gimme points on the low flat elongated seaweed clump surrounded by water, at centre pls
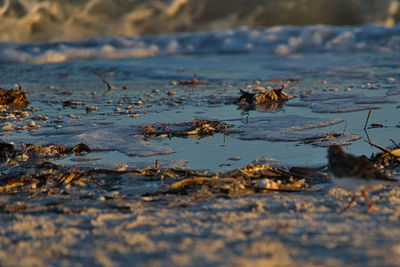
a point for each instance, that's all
(195, 128)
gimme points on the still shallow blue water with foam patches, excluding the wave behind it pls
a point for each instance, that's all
(70, 105)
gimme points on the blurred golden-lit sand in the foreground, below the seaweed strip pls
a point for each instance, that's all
(116, 227)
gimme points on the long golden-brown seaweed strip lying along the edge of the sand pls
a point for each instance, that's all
(49, 178)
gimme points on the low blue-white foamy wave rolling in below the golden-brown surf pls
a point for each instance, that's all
(279, 40)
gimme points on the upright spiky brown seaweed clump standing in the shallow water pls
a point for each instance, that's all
(272, 100)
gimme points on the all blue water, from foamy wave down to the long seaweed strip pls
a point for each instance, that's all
(336, 74)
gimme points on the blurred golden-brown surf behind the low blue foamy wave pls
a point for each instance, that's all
(56, 20)
